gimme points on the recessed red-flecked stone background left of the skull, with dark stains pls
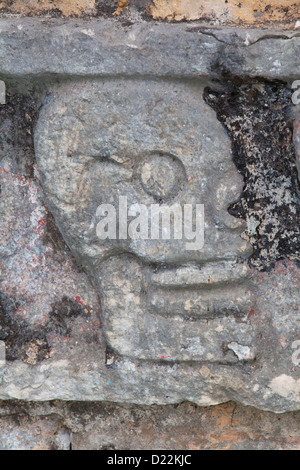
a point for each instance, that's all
(51, 291)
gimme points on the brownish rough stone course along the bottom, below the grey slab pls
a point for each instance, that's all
(107, 426)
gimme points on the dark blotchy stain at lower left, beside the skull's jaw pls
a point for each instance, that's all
(30, 344)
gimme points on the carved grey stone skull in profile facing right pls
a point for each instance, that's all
(108, 163)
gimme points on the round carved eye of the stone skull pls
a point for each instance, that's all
(162, 176)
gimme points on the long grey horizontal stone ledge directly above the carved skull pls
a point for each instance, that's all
(107, 48)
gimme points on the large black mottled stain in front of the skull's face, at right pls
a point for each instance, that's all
(256, 115)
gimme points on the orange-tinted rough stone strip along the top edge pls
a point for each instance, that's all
(215, 12)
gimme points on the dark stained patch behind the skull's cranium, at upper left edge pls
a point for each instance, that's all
(17, 121)
